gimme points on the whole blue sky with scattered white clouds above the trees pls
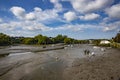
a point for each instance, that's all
(79, 19)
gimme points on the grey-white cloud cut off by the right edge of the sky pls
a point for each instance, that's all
(114, 11)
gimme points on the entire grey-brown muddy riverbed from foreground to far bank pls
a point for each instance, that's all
(63, 64)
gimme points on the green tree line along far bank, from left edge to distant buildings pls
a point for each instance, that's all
(39, 40)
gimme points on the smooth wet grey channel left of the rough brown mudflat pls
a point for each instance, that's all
(22, 64)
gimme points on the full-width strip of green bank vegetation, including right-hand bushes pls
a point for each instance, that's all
(44, 40)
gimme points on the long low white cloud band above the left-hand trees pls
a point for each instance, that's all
(24, 26)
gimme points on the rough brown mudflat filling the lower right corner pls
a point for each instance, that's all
(104, 67)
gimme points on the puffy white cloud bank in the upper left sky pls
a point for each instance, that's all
(38, 14)
